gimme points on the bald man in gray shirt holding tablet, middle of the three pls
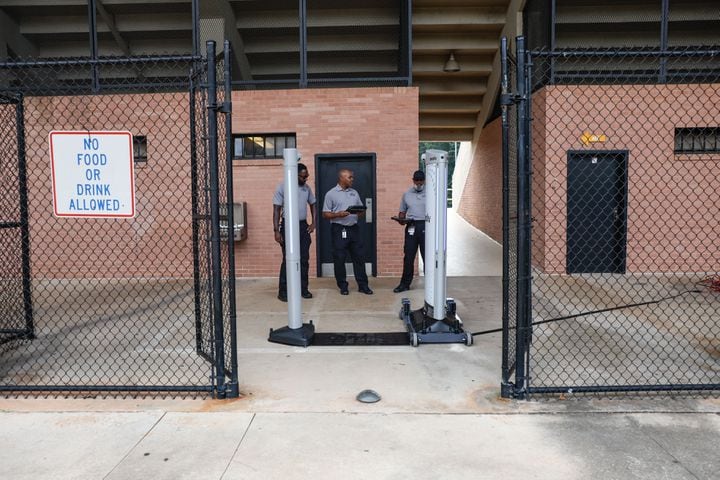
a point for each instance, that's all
(345, 233)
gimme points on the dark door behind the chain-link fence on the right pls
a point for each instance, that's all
(597, 212)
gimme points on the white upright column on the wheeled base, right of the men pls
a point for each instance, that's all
(436, 231)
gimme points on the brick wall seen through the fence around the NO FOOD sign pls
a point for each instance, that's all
(158, 241)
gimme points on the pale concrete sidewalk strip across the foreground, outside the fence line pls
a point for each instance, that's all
(153, 443)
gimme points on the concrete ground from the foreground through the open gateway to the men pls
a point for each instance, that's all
(440, 415)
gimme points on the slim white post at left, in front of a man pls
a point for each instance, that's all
(292, 237)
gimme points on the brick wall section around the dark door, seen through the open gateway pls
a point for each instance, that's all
(383, 121)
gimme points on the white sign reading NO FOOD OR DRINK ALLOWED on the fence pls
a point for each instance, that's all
(92, 174)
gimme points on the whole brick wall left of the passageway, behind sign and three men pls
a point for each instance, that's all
(158, 241)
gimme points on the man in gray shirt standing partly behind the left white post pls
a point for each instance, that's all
(305, 198)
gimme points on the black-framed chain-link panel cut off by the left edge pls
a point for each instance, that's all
(16, 319)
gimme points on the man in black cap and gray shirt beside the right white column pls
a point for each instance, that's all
(412, 215)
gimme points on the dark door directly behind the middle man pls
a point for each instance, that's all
(363, 167)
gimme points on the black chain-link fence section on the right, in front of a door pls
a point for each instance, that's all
(637, 310)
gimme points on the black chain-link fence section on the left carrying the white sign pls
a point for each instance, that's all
(141, 304)
